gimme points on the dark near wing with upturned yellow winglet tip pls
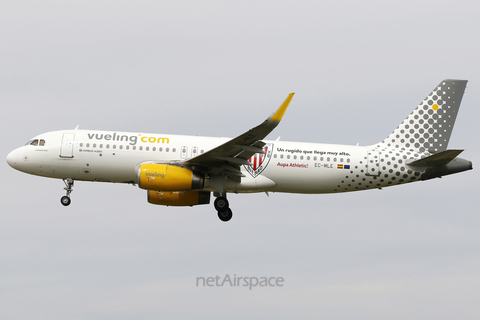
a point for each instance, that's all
(236, 152)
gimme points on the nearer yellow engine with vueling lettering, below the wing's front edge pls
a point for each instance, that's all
(161, 177)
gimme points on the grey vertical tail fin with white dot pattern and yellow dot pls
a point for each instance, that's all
(429, 126)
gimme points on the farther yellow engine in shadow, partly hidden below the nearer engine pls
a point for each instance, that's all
(178, 198)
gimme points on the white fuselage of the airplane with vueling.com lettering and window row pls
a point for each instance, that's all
(295, 167)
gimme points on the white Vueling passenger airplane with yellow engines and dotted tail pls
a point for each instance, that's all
(181, 170)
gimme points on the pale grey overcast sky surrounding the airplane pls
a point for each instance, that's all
(218, 68)
